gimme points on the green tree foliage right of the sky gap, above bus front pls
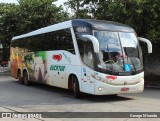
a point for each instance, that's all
(142, 15)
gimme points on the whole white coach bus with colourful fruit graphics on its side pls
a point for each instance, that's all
(91, 56)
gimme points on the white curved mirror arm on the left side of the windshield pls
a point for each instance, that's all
(94, 41)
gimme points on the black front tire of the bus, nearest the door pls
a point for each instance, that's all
(76, 91)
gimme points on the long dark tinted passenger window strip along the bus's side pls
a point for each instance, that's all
(57, 40)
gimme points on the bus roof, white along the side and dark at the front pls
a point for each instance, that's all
(94, 24)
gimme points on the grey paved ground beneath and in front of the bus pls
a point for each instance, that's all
(40, 98)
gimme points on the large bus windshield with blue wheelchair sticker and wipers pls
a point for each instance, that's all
(119, 52)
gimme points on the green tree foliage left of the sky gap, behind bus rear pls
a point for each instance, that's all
(27, 16)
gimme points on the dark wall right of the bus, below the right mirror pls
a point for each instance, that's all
(152, 66)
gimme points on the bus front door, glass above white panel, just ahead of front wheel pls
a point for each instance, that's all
(87, 57)
